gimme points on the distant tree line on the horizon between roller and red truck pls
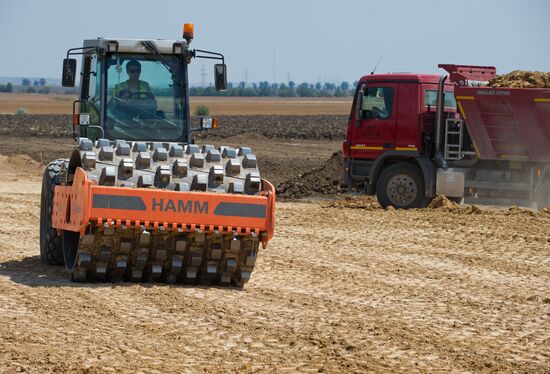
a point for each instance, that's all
(267, 89)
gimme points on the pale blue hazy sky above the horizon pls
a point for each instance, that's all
(327, 41)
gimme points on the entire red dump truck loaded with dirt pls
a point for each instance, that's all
(411, 137)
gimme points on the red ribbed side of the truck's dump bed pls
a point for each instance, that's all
(507, 123)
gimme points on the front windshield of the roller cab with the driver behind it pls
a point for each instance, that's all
(144, 98)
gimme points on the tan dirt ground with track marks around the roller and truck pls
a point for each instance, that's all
(344, 286)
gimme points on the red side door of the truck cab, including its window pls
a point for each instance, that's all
(375, 120)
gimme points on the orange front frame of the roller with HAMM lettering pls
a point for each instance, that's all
(85, 202)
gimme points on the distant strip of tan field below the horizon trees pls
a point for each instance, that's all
(62, 104)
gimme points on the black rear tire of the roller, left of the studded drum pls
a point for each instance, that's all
(51, 245)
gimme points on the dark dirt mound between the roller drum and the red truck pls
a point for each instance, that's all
(324, 180)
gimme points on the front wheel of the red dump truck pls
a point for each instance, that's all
(401, 185)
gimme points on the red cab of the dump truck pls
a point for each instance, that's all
(392, 121)
